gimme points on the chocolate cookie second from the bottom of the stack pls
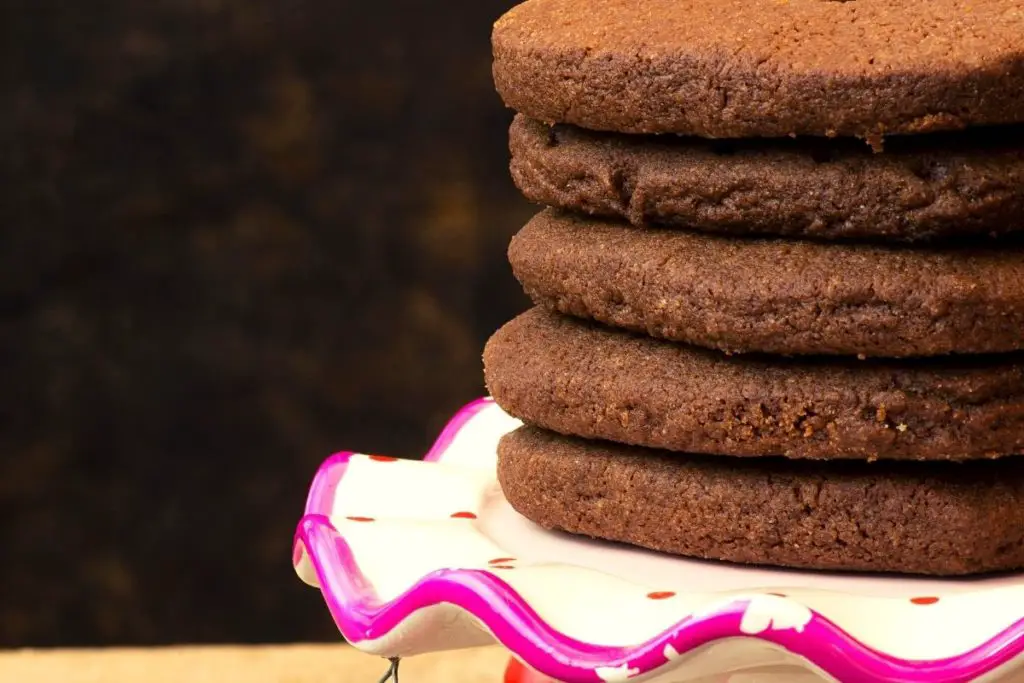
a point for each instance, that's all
(583, 379)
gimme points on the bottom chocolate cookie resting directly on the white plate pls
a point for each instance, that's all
(949, 519)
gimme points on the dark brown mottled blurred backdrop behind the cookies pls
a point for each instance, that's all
(237, 236)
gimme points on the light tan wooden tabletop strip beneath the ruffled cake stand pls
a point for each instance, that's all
(291, 664)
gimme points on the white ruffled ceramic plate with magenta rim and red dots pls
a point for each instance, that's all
(418, 557)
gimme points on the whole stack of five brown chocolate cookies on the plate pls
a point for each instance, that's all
(780, 279)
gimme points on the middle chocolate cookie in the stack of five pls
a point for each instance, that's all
(775, 295)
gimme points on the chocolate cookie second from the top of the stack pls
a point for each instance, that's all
(923, 188)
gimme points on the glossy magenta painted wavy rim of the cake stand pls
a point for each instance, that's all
(361, 616)
